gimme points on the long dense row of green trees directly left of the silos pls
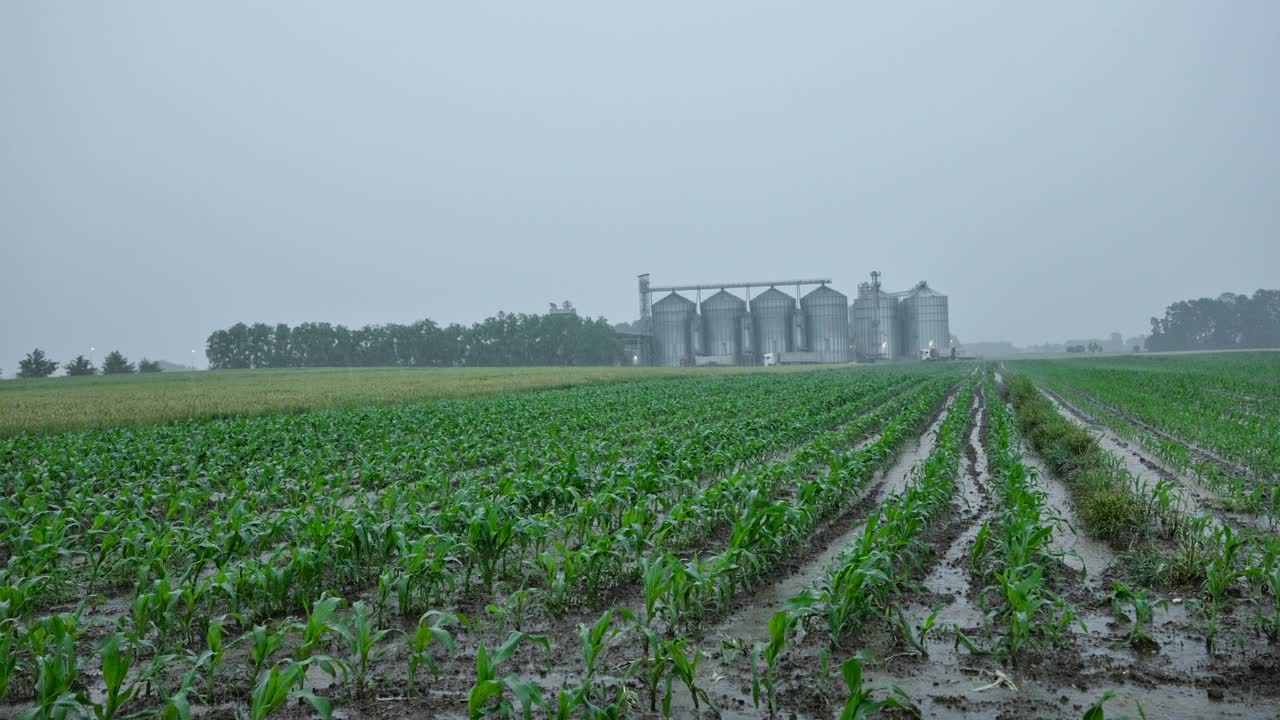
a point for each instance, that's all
(505, 340)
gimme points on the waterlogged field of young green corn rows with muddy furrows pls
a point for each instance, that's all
(940, 540)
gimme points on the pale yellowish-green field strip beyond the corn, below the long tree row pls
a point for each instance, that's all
(79, 404)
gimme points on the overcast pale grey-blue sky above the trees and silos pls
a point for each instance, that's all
(1059, 170)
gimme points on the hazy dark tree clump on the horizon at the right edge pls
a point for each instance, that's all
(1226, 323)
